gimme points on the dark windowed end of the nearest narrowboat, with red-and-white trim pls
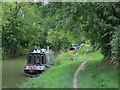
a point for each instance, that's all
(35, 64)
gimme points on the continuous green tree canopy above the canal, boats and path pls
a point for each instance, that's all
(59, 25)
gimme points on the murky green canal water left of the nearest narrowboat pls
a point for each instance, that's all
(13, 72)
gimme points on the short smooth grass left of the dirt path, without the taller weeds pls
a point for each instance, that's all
(56, 77)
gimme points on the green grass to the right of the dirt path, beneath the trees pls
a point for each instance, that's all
(92, 77)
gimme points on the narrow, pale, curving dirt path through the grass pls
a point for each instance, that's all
(81, 66)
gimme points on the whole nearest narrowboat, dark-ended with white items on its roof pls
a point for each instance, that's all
(37, 61)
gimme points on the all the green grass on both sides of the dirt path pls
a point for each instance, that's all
(61, 74)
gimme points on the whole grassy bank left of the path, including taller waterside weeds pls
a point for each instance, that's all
(60, 75)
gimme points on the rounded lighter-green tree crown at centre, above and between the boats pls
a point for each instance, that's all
(59, 38)
